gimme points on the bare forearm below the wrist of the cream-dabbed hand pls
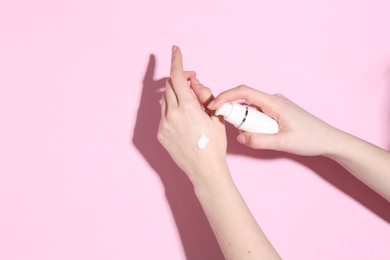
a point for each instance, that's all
(235, 228)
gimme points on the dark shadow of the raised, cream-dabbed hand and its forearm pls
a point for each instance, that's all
(197, 238)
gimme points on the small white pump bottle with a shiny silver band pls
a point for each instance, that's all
(248, 119)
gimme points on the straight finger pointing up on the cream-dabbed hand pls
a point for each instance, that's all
(178, 76)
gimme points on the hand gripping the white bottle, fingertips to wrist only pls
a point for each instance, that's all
(299, 131)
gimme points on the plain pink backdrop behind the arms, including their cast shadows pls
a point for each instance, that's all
(82, 175)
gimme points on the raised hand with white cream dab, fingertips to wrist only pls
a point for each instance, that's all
(184, 120)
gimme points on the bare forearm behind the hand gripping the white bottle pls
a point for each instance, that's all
(367, 162)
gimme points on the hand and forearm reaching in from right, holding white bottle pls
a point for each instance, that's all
(302, 133)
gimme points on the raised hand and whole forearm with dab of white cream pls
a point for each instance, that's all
(182, 121)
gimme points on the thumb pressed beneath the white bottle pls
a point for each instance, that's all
(259, 141)
